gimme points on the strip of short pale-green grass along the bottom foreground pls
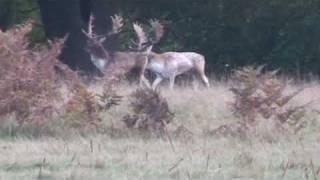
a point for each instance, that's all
(133, 158)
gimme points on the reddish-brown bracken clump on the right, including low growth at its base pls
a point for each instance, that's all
(262, 98)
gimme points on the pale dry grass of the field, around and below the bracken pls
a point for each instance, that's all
(191, 154)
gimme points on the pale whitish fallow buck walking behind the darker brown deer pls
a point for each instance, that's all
(170, 64)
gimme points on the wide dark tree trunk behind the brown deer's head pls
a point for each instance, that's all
(68, 17)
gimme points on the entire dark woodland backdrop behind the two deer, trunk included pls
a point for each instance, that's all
(230, 33)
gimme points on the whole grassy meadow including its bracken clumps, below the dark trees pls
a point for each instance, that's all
(55, 125)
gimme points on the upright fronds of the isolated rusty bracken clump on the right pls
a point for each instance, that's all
(261, 95)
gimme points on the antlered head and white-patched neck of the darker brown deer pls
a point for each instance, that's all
(99, 55)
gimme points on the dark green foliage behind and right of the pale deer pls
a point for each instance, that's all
(282, 34)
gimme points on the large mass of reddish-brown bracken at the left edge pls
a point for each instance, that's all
(30, 85)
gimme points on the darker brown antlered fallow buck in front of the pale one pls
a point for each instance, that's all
(116, 64)
